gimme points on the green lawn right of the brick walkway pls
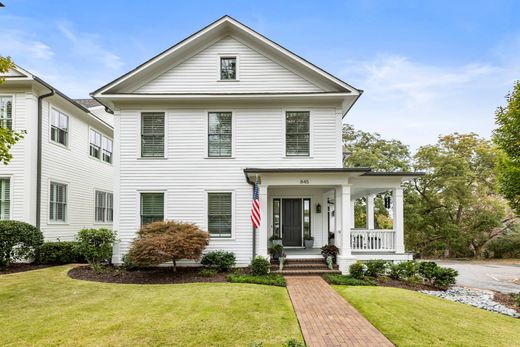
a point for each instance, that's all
(410, 318)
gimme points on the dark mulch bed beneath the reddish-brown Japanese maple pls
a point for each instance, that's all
(156, 275)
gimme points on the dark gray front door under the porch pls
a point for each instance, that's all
(292, 222)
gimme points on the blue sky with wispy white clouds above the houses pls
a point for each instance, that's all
(427, 68)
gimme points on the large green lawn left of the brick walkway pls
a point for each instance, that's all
(47, 308)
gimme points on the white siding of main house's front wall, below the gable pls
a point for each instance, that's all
(186, 174)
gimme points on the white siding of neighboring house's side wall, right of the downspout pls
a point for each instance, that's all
(74, 167)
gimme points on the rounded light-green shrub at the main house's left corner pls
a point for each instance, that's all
(96, 245)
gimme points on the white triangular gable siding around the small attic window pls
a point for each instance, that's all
(201, 73)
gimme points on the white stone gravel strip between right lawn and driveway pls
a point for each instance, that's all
(474, 297)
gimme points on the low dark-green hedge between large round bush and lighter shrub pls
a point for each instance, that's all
(62, 252)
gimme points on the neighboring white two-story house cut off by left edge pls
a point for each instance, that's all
(60, 177)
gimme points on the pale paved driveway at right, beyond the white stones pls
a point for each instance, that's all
(486, 275)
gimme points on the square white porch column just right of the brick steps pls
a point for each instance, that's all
(345, 258)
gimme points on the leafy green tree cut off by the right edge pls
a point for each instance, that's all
(507, 137)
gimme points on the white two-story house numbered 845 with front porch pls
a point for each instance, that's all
(198, 124)
